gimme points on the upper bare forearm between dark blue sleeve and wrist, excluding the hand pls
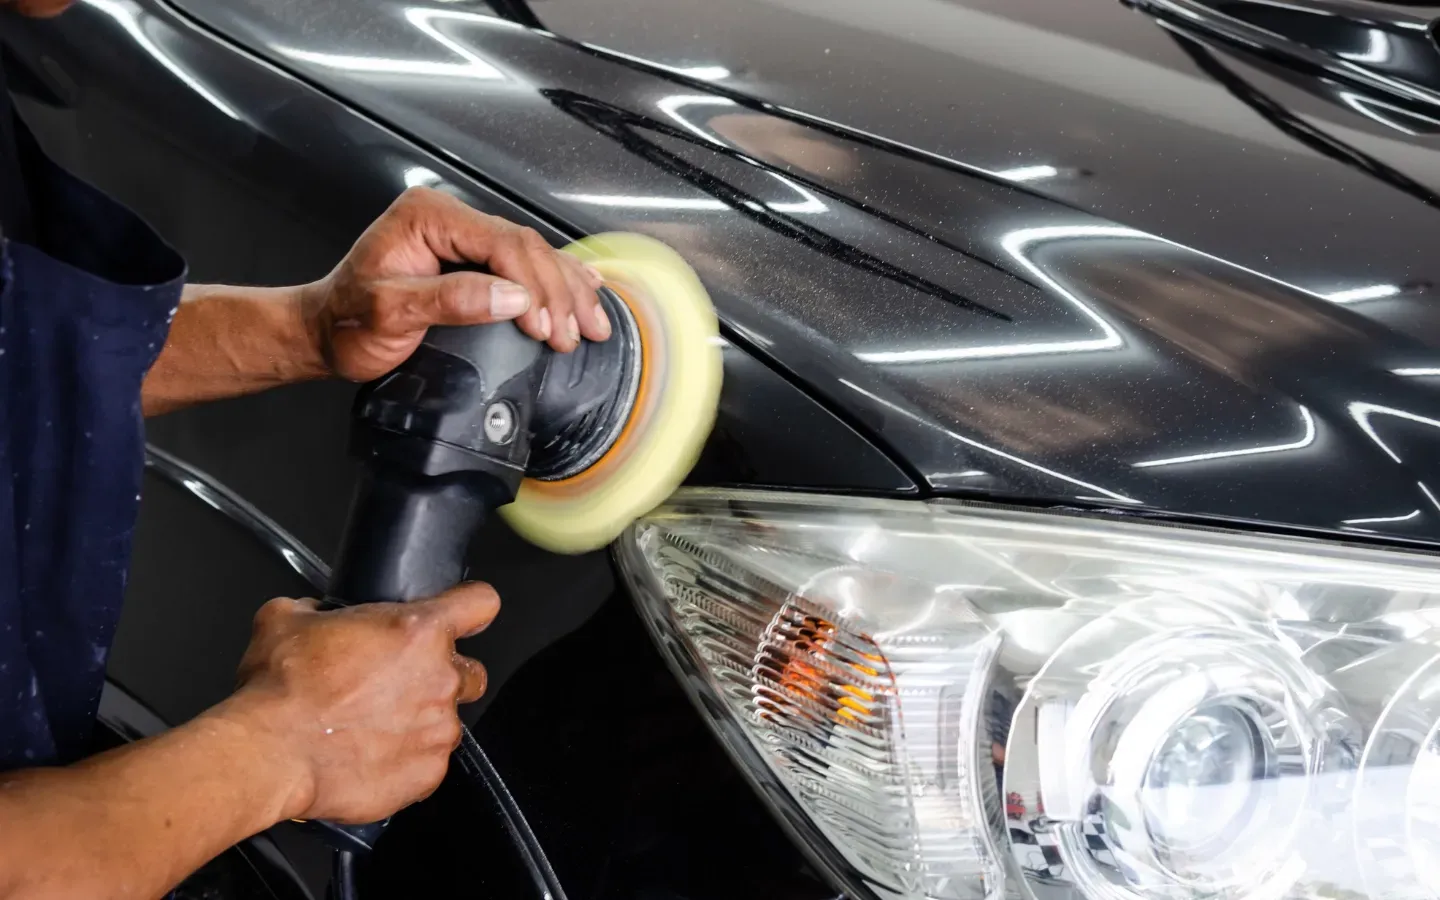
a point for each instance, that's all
(228, 342)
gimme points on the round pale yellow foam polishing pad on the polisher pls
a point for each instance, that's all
(673, 414)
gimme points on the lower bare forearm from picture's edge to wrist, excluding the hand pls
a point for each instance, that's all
(136, 822)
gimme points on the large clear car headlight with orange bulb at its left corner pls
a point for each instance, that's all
(966, 702)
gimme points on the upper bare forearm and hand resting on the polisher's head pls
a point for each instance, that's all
(372, 310)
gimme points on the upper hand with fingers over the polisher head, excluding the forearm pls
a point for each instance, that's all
(371, 313)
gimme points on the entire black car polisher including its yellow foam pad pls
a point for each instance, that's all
(568, 447)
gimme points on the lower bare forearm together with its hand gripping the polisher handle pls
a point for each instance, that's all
(345, 715)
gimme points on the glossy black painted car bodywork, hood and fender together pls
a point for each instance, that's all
(1055, 253)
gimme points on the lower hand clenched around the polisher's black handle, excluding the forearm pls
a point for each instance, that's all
(364, 701)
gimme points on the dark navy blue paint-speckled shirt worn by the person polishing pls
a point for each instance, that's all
(86, 305)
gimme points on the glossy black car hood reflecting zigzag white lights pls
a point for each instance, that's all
(1038, 250)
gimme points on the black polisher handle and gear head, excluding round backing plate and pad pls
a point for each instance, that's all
(446, 440)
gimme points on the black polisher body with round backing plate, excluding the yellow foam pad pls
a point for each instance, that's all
(447, 440)
